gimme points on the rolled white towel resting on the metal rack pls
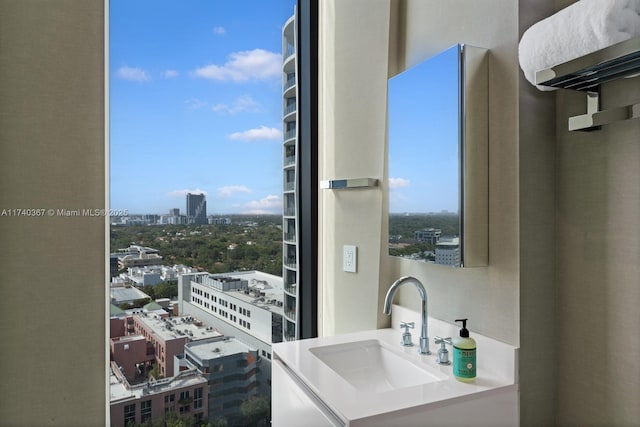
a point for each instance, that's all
(579, 29)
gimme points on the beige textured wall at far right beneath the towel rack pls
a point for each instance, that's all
(598, 267)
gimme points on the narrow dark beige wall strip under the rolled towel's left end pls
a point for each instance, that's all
(537, 196)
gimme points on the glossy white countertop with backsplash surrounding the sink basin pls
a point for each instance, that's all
(352, 404)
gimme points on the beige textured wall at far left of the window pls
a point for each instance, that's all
(52, 311)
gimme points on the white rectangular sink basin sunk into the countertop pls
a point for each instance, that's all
(372, 367)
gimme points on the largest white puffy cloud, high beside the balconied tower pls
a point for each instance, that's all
(257, 64)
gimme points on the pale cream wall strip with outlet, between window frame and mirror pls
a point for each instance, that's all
(353, 75)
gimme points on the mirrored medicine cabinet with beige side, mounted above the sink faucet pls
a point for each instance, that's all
(438, 159)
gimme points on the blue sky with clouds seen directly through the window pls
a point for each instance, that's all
(196, 104)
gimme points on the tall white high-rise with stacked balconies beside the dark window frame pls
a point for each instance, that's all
(290, 274)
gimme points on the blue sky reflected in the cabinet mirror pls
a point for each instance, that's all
(423, 136)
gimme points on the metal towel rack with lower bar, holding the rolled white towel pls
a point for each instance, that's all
(588, 72)
